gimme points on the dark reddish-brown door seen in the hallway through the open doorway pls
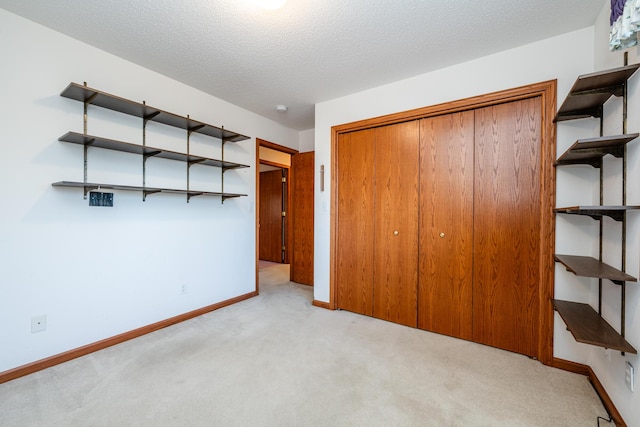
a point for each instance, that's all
(271, 201)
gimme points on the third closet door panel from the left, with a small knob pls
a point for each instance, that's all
(446, 224)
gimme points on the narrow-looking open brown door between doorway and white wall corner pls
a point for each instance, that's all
(302, 168)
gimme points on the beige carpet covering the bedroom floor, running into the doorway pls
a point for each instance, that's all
(275, 360)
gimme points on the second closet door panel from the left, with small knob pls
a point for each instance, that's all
(396, 223)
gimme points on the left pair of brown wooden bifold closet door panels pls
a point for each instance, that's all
(378, 207)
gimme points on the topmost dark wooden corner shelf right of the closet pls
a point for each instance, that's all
(590, 91)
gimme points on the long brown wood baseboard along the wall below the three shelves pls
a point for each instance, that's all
(39, 365)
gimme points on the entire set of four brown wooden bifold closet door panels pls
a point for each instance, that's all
(439, 224)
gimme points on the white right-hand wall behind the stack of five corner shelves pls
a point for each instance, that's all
(611, 371)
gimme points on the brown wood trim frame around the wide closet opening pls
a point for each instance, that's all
(547, 91)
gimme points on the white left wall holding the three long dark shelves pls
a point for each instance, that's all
(98, 272)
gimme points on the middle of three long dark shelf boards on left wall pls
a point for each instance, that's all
(111, 144)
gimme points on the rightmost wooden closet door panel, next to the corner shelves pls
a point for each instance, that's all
(507, 226)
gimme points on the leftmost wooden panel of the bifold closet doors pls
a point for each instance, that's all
(354, 252)
